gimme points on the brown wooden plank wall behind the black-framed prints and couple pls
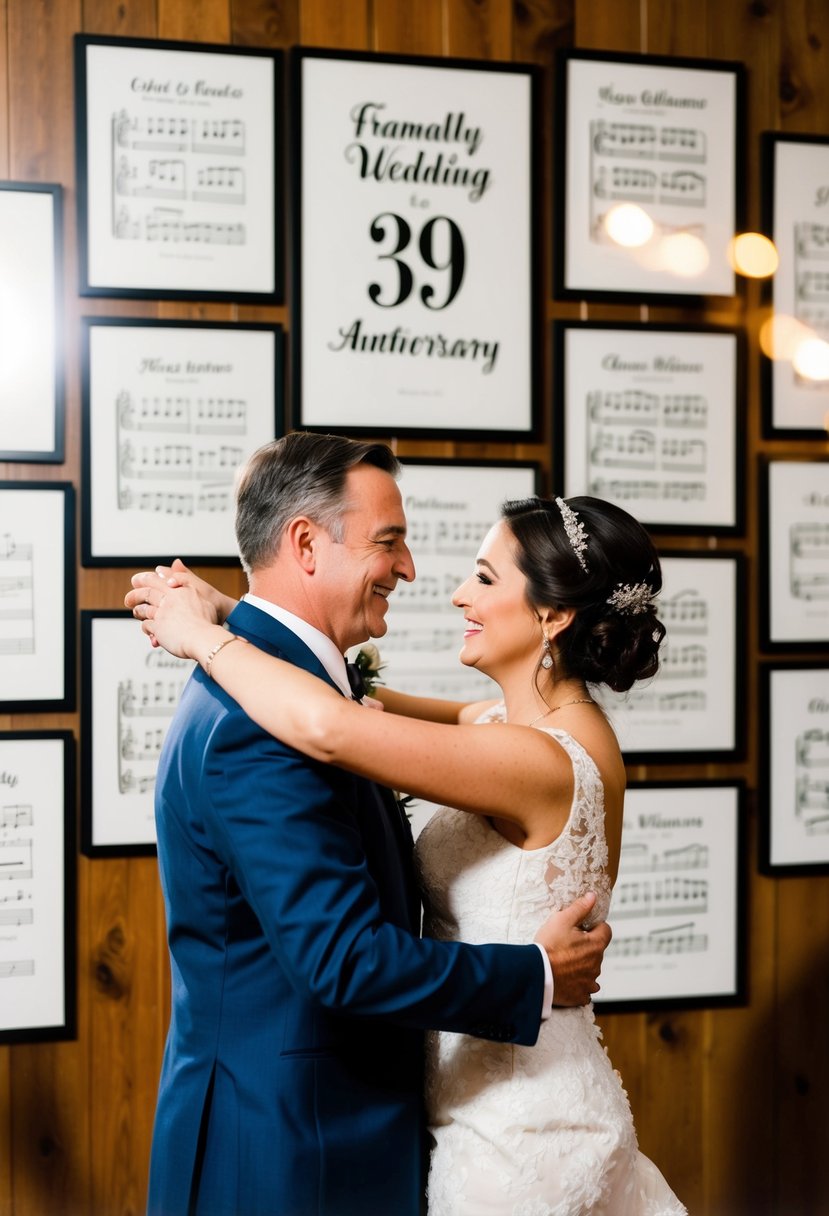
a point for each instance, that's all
(734, 1105)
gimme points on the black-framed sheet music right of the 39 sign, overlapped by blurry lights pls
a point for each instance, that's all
(650, 195)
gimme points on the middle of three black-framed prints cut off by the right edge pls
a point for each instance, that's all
(794, 511)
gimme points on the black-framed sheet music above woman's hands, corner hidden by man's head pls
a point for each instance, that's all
(171, 410)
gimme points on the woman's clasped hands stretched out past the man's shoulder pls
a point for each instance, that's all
(174, 617)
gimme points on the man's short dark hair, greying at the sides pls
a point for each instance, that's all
(301, 475)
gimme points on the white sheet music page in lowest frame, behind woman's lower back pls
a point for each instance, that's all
(669, 899)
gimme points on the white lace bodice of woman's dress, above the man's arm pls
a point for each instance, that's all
(459, 898)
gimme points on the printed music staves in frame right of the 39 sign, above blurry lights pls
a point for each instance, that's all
(658, 166)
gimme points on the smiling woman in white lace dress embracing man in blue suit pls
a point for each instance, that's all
(562, 598)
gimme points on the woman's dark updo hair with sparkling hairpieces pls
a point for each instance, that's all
(602, 645)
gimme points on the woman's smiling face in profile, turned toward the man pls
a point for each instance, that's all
(501, 628)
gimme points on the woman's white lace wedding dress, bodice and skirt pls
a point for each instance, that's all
(528, 1131)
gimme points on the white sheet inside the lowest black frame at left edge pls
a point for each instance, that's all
(31, 883)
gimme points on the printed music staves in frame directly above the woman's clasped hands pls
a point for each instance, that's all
(178, 453)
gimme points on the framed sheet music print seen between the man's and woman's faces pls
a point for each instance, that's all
(450, 508)
